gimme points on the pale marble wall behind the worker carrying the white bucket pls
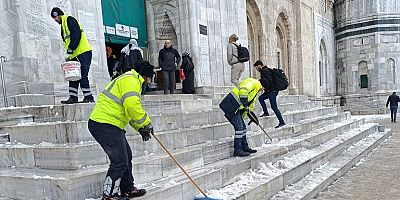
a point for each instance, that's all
(31, 40)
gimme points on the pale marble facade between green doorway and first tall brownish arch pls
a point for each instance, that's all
(181, 21)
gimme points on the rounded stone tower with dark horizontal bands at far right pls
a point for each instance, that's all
(367, 40)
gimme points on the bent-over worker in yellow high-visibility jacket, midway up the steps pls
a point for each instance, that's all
(236, 105)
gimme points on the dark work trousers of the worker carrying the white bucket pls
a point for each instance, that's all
(85, 59)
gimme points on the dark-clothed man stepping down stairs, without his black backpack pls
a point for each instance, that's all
(267, 81)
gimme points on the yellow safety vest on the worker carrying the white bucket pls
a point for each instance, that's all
(83, 45)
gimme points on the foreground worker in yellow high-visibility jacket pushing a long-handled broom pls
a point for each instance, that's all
(119, 105)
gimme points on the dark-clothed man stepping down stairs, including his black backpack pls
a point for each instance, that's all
(272, 82)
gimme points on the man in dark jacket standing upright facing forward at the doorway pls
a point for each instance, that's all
(168, 59)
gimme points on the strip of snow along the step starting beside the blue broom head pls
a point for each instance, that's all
(272, 175)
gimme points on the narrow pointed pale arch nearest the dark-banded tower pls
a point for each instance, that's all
(323, 68)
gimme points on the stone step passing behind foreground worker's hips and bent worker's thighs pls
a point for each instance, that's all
(75, 132)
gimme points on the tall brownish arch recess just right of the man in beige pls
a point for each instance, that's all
(255, 33)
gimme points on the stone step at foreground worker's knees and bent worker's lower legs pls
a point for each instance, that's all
(76, 156)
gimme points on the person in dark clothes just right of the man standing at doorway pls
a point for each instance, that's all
(188, 69)
